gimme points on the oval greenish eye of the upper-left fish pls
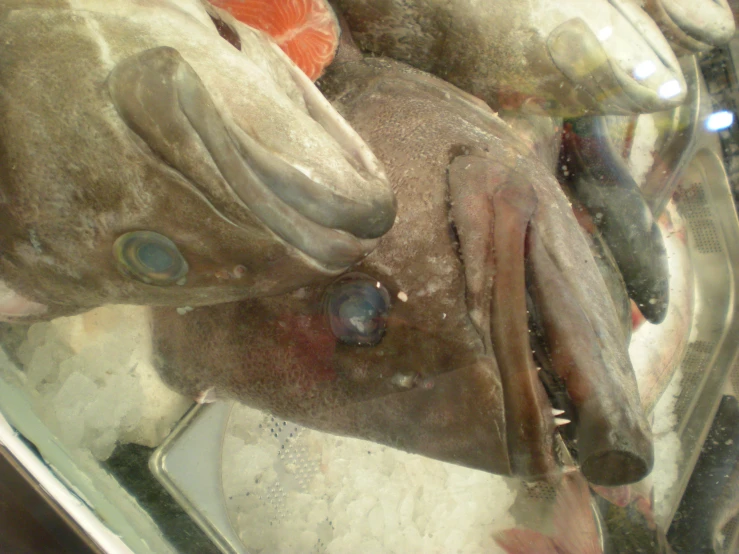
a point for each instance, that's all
(150, 257)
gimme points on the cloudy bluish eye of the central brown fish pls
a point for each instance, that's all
(357, 308)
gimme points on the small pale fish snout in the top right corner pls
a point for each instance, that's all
(693, 26)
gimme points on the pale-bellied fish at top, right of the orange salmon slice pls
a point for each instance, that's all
(568, 58)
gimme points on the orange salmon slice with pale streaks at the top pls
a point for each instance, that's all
(306, 30)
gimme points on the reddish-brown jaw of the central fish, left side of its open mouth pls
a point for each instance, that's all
(491, 208)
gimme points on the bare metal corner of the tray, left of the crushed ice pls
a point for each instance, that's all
(176, 461)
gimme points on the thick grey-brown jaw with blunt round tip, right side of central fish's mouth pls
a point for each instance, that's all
(586, 346)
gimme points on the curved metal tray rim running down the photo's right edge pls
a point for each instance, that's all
(694, 428)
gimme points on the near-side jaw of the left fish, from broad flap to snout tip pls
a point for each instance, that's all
(294, 207)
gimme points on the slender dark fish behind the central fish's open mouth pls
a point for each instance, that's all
(600, 179)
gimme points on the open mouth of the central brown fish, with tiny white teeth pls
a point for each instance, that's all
(514, 251)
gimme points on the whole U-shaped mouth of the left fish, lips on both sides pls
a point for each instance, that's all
(161, 97)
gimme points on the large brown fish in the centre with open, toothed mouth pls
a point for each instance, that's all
(424, 345)
